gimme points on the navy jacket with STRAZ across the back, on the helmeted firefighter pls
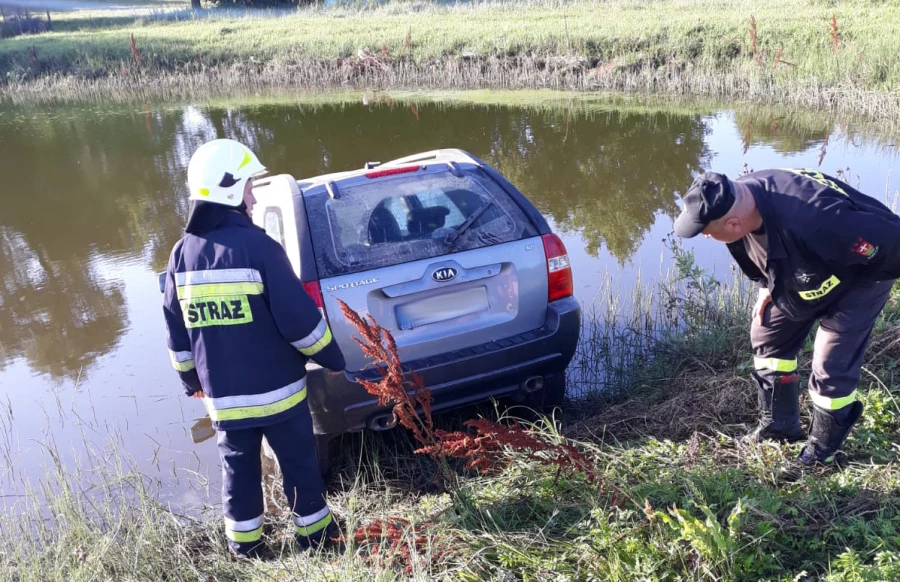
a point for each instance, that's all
(240, 326)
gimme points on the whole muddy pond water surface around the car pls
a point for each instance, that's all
(94, 198)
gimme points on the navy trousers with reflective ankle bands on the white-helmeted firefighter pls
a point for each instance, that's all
(242, 496)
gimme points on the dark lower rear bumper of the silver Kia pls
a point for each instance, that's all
(339, 404)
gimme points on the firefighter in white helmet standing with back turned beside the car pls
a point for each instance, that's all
(240, 328)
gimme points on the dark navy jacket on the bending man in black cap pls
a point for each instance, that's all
(823, 237)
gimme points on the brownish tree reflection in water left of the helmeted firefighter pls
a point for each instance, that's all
(82, 190)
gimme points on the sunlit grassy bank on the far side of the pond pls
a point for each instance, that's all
(759, 49)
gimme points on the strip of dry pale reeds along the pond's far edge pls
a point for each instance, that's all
(473, 74)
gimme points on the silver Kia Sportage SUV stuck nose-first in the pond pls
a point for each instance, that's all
(446, 254)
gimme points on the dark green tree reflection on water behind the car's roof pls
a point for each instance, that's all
(604, 176)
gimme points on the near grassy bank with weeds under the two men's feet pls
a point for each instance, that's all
(677, 498)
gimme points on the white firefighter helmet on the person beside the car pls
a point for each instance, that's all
(218, 170)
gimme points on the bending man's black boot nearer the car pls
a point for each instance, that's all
(779, 411)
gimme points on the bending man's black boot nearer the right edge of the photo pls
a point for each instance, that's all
(826, 439)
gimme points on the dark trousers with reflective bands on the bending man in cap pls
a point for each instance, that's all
(840, 344)
